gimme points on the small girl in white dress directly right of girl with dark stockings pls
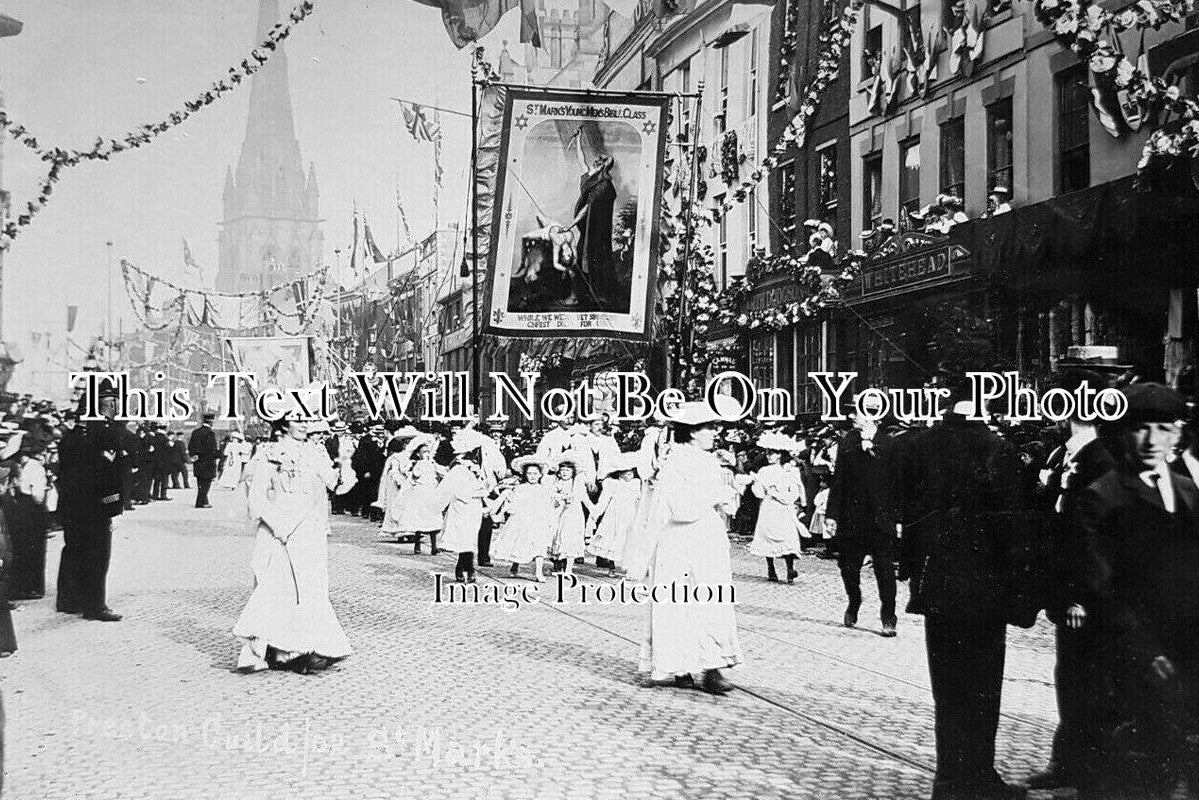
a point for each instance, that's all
(533, 518)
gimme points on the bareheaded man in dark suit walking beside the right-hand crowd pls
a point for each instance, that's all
(863, 514)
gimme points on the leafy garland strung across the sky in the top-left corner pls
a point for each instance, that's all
(106, 148)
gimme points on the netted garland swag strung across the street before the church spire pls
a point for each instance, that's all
(161, 304)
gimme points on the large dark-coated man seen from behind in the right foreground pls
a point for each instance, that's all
(963, 512)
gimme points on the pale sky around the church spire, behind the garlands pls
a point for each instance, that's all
(83, 69)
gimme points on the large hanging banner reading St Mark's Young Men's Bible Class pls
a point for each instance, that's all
(576, 227)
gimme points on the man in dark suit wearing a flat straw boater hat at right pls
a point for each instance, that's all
(1081, 461)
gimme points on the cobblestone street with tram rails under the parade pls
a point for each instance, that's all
(467, 701)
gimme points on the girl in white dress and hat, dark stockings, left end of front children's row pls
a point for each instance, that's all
(462, 496)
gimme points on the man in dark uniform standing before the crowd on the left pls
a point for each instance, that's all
(89, 497)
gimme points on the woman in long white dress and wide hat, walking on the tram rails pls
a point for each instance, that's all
(691, 551)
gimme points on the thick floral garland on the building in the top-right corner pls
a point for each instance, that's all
(1093, 34)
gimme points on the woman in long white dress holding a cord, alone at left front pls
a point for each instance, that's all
(288, 622)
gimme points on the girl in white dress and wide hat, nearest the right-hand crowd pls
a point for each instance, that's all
(779, 530)
